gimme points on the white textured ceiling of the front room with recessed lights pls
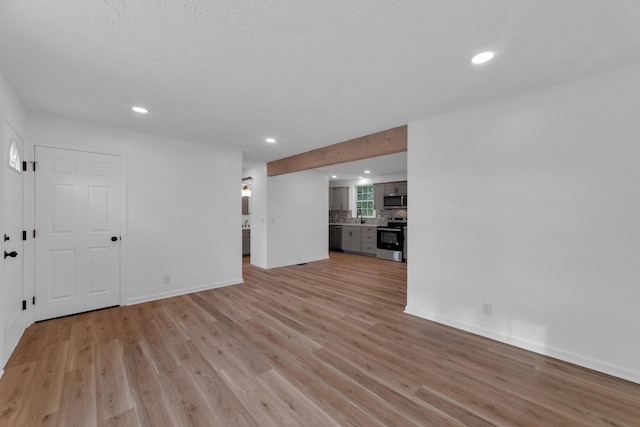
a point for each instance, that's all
(309, 73)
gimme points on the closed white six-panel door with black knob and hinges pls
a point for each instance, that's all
(77, 219)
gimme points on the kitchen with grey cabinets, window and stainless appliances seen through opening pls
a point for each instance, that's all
(369, 218)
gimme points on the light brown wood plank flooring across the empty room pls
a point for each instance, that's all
(321, 344)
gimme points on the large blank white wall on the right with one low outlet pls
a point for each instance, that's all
(532, 204)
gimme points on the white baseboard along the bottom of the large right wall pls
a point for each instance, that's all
(536, 347)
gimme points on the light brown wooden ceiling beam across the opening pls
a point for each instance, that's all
(390, 141)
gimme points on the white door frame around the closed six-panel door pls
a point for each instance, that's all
(30, 215)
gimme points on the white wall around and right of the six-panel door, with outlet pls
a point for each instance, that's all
(183, 200)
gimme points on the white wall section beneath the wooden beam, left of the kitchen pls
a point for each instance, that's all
(297, 218)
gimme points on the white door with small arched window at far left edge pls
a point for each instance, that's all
(13, 283)
